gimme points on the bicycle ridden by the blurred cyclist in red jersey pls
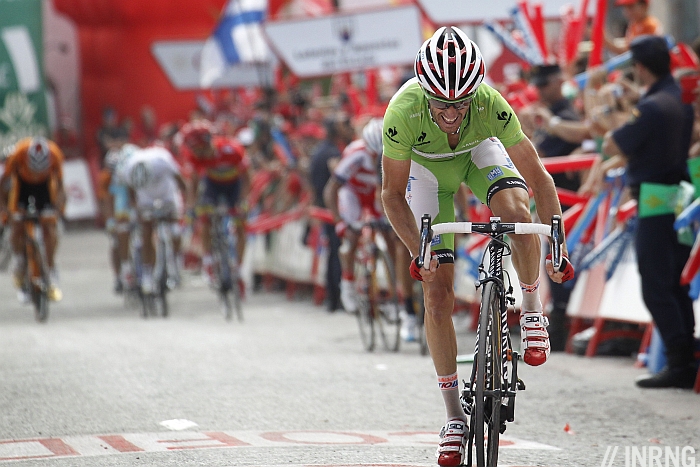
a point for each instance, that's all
(226, 263)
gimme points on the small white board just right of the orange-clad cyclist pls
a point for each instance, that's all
(80, 196)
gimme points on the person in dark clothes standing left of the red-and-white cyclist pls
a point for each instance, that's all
(323, 158)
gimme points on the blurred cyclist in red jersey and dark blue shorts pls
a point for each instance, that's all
(220, 174)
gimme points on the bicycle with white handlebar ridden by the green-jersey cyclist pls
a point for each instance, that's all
(488, 398)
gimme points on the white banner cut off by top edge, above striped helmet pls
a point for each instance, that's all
(448, 12)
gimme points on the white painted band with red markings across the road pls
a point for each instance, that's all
(13, 450)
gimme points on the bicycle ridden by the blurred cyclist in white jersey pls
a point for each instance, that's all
(165, 271)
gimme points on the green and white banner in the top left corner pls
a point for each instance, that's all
(23, 107)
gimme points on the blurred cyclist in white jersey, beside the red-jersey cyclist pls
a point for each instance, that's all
(156, 186)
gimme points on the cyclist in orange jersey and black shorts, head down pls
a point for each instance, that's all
(34, 169)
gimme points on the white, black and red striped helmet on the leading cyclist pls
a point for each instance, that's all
(449, 65)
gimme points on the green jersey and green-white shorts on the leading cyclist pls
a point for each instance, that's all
(480, 159)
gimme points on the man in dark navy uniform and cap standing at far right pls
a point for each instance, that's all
(653, 145)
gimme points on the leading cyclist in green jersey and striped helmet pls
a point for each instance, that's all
(442, 128)
